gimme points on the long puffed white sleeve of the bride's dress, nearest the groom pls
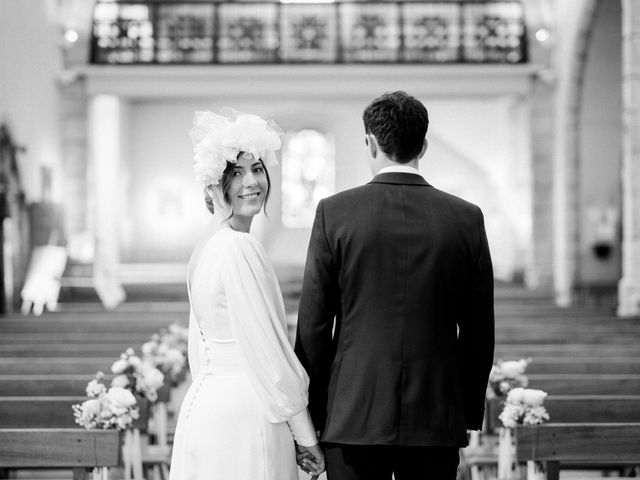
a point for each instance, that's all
(257, 317)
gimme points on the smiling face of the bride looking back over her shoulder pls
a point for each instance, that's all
(249, 186)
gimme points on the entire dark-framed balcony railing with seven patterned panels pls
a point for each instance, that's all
(155, 32)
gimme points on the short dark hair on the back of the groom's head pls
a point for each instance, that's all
(399, 122)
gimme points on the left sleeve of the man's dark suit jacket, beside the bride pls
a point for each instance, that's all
(318, 307)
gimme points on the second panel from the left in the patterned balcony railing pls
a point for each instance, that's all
(185, 33)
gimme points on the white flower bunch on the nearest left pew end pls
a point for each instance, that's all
(113, 408)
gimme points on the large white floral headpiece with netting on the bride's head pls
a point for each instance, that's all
(219, 138)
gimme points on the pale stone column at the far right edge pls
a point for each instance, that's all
(629, 287)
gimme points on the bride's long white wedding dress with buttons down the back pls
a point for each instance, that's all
(249, 393)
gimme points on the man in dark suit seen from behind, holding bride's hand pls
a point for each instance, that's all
(396, 323)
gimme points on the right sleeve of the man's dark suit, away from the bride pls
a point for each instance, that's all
(477, 332)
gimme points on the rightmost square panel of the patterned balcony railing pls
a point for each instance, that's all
(494, 32)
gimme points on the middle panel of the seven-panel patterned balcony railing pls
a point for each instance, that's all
(309, 33)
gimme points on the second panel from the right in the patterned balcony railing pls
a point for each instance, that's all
(431, 32)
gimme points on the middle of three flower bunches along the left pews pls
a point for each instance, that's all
(141, 378)
